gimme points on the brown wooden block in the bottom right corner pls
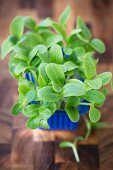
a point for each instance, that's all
(105, 138)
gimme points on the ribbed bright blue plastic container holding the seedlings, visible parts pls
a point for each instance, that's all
(60, 120)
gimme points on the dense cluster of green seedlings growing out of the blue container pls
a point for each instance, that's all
(62, 65)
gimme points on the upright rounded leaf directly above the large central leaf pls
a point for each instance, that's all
(55, 54)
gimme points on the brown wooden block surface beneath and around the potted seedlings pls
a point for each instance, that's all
(24, 149)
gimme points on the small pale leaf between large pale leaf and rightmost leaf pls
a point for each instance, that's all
(93, 84)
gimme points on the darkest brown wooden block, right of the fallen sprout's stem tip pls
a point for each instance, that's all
(89, 157)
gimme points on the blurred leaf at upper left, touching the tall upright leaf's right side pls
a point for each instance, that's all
(29, 22)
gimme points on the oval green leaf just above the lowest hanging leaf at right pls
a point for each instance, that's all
(95, 97)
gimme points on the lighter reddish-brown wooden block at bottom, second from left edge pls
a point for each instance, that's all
(22, 149)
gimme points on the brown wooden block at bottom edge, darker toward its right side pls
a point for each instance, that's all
(43, 156)
